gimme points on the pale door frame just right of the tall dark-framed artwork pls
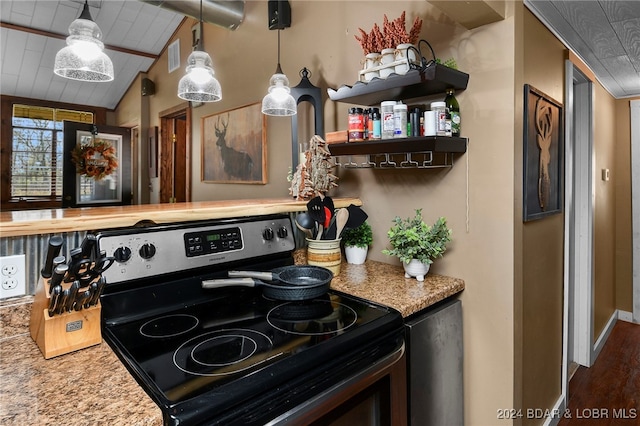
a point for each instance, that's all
(578, 314)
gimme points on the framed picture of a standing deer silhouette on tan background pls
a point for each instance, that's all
(234, 146)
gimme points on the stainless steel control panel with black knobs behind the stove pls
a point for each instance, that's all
(161, 249)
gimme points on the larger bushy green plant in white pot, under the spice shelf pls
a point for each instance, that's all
(417, 244)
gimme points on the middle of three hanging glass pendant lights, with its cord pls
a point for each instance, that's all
(199, 84)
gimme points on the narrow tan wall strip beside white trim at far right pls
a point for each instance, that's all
(623, 234)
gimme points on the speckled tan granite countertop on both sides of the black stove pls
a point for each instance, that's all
(92, 386)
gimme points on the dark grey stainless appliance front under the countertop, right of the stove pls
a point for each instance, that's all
(434, 366)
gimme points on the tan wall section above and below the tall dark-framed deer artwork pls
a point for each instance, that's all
(541, 274)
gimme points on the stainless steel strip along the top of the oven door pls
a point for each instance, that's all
(315, 403)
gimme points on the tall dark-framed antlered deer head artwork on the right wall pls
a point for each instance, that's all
(542, 154)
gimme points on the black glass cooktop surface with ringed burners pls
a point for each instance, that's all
(225, 350)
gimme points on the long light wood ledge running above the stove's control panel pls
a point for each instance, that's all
(49, 221)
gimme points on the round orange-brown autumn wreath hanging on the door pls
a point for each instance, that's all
(97, 159)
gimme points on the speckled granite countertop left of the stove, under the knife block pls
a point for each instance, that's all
(86, 387)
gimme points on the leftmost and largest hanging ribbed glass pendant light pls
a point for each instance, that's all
(83, 57)
